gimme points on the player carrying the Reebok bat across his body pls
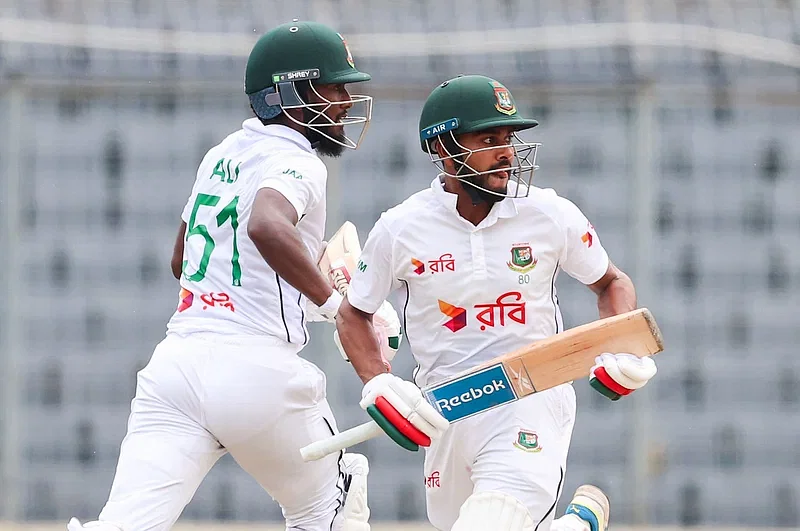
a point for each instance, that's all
(476, 258)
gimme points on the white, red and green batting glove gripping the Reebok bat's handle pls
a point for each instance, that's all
(399, 407)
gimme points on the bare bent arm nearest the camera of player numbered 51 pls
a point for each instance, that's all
(281, 246)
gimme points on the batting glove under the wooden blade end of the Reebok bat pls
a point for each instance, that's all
(617, 375)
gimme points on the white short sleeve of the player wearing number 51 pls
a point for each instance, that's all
(300, 179)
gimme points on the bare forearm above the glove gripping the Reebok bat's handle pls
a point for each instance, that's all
(359, 341)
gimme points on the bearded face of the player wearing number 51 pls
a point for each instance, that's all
(335, 113)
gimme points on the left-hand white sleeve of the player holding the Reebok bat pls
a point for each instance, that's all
(374, 278)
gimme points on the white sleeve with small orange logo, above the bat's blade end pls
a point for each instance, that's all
(584, 257)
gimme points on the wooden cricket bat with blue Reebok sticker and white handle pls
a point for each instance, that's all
(533, 368)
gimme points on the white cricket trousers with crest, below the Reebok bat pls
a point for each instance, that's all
(519, 449)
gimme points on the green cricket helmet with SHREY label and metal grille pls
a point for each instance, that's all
(304, 52)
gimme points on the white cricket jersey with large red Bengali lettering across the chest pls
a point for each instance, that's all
(473, 293)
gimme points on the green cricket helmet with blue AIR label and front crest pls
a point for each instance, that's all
(468, 104)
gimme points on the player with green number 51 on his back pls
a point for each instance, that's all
(227, 377)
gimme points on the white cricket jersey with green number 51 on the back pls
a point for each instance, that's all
(227, 286)
